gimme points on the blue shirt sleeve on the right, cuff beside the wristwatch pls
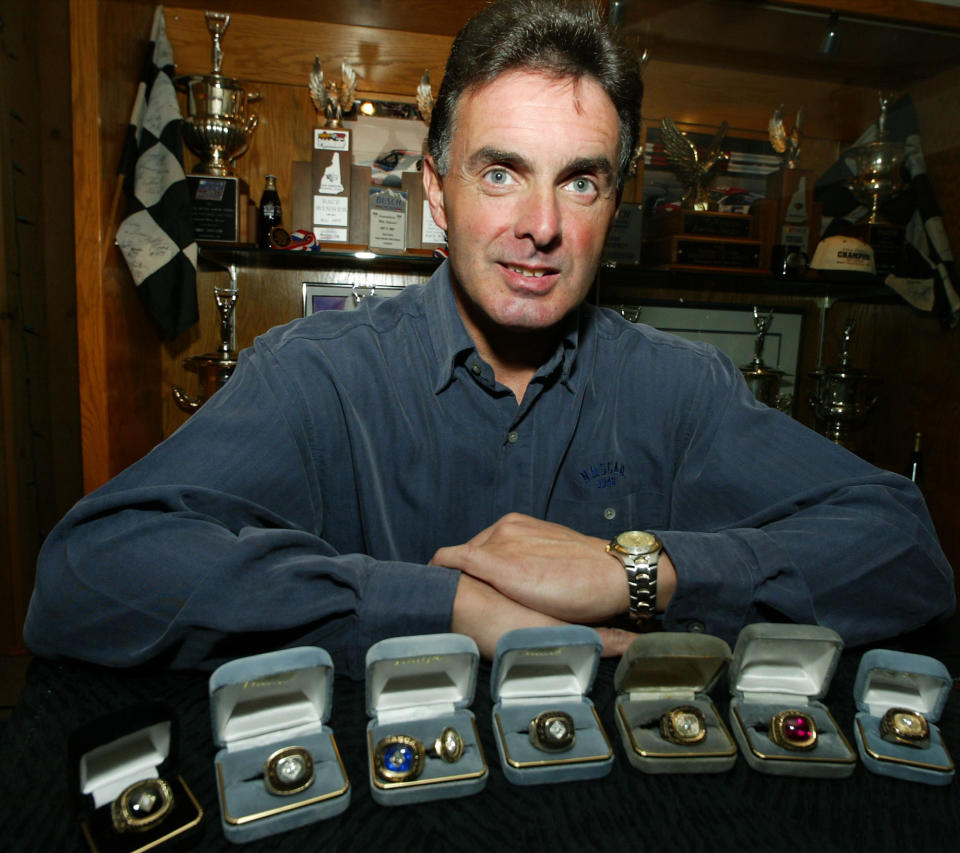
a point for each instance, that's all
(772, 522)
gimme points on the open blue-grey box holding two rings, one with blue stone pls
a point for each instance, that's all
(416, 687)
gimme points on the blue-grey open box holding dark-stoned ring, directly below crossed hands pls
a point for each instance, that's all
(538, 670)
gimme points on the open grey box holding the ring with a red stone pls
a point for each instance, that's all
(779, 667)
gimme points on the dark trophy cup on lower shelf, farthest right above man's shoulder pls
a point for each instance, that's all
(843, 397)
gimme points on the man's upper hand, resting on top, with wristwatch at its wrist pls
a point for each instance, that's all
(546, 567)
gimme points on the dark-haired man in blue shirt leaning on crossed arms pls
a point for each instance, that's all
(460, 457)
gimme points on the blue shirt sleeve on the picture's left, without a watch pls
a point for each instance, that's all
(215, 545)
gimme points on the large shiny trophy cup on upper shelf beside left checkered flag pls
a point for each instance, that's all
(218, 128)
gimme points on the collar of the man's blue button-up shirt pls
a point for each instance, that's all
(453, 343)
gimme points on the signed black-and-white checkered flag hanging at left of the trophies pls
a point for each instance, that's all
(156, 237)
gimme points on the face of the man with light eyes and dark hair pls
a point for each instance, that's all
(528, 199)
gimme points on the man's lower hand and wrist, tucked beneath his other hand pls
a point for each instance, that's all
(481, 612)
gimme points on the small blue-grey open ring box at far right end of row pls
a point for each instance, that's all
(889, 679)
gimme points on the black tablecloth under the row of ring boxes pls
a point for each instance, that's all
(741, 809)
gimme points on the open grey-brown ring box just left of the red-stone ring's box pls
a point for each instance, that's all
(658, 673)
